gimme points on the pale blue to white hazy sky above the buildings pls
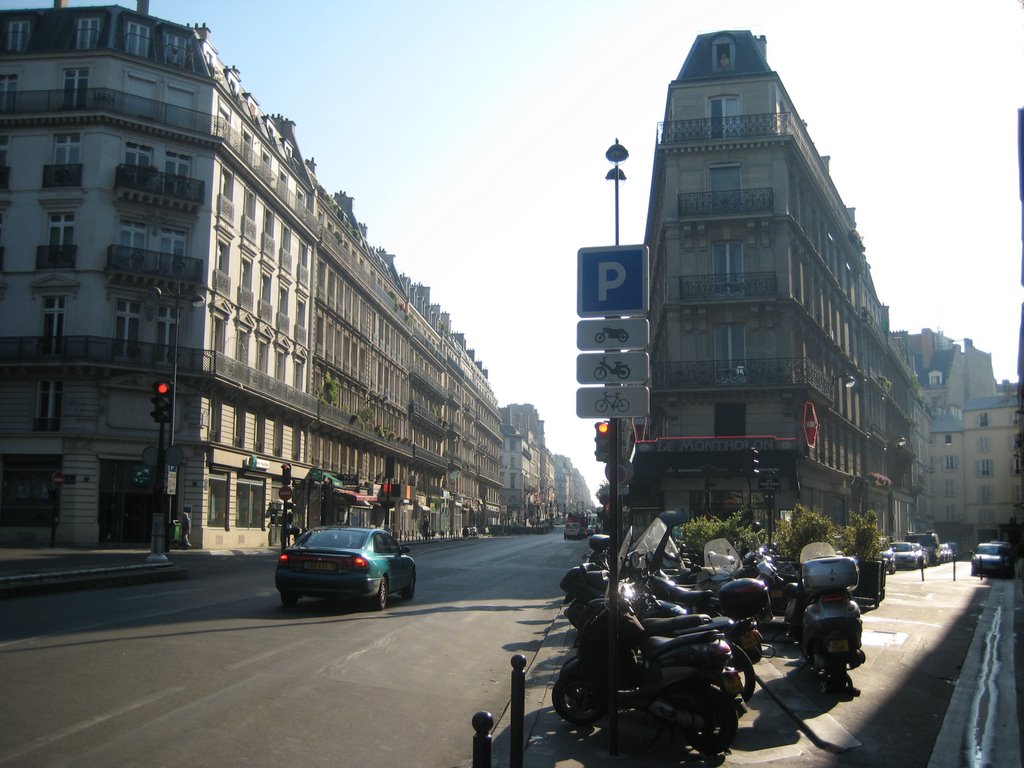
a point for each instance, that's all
(473, 135)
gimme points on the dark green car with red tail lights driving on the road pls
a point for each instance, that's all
(346, 564)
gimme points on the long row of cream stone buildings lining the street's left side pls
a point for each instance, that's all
(159, 226)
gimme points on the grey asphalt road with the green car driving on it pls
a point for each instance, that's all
(214, 671)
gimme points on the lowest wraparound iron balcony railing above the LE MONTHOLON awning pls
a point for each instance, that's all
(749, 372)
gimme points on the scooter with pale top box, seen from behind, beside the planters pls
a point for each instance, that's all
(824, 618)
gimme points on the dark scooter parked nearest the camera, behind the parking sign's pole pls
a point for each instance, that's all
(685, 681)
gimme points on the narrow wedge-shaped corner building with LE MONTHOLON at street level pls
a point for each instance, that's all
(776, 379)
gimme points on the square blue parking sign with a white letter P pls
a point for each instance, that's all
(613, 281)
